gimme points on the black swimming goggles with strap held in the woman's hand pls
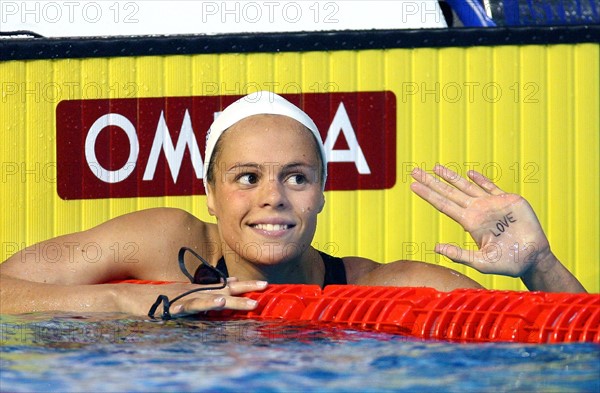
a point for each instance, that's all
(205, 275)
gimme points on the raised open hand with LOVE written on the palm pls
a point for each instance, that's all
(504, 226)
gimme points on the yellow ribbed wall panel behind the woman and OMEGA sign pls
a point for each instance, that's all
(525, 115)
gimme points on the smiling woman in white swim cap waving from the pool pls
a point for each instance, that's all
(266, 198)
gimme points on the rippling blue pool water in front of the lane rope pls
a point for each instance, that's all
(115, 353)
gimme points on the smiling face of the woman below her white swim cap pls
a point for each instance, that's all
(266, 191)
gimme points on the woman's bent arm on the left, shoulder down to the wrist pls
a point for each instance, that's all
(61, 273)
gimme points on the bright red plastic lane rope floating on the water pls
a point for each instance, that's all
(465, 315)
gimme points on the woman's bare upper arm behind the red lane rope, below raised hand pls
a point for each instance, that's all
(361, 271)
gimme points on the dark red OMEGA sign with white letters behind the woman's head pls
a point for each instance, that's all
(138, 147)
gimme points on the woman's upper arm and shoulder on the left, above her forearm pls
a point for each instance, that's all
(140, 245)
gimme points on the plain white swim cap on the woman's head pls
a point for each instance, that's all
(259, 103)
